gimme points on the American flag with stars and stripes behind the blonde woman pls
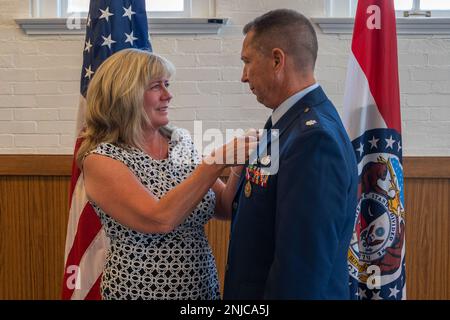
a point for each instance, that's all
(110, 27)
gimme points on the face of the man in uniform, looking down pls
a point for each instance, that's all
(259, 72)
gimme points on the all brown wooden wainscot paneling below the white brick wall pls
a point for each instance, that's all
(34, 211)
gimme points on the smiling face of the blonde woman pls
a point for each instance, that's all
(156, 102)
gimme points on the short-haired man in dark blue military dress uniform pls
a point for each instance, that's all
(291, 228)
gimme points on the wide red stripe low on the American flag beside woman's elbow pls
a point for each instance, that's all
(88, 227)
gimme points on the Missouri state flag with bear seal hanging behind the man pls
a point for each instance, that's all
(373, 122)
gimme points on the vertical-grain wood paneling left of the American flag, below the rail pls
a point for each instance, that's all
(33, 218)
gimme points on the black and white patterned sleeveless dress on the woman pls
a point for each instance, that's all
(176, 265)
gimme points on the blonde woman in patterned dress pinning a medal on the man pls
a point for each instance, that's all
(151, 190)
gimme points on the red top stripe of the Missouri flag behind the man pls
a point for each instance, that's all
(376, 52)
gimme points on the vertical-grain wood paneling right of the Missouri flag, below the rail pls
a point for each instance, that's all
(427, 238)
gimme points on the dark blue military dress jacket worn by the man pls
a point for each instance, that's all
(290, 238)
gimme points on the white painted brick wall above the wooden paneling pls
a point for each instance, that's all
(39, 80)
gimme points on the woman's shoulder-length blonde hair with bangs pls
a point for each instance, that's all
(115, 99)
